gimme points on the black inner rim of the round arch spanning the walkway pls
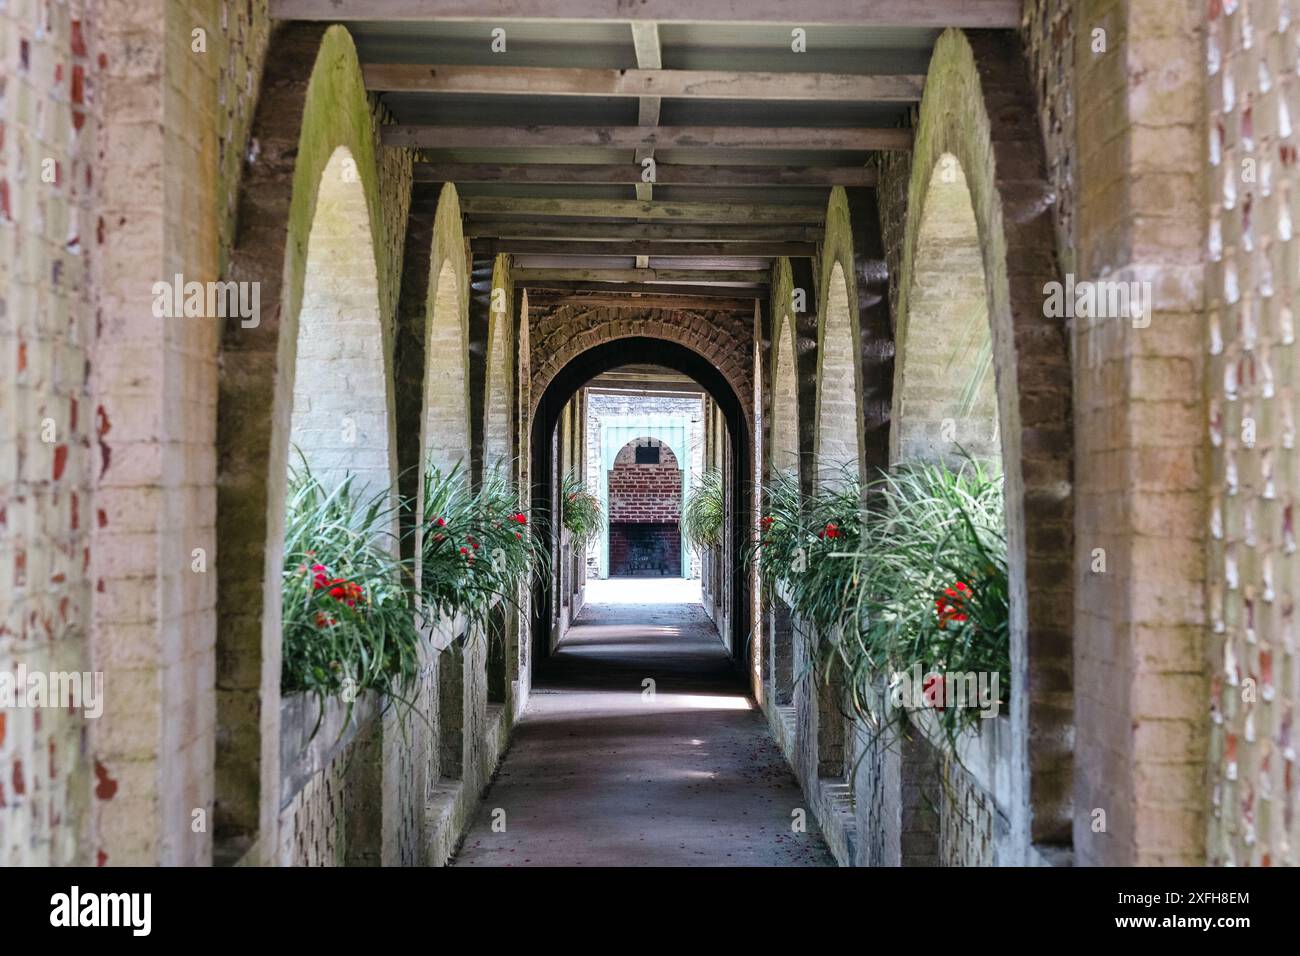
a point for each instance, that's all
(545, 477)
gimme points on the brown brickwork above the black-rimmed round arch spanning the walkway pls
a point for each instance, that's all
(723, 339)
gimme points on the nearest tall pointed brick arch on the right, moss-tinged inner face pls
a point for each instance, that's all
(978, 109)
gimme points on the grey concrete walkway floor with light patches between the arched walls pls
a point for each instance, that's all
(600, 776)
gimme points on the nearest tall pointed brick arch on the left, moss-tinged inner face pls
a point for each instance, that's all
(313, 103)
